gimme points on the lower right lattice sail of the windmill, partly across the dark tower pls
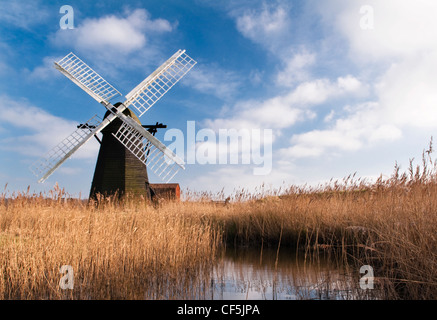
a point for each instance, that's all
(149, 150)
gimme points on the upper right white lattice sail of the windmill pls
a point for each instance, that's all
(151, 89)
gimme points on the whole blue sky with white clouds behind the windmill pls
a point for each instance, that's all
(345, 86)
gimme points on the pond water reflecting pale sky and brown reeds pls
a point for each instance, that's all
(249, 274)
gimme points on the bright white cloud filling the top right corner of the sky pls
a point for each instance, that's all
(401, 27)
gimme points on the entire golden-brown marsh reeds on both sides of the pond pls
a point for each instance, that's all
(132, 250)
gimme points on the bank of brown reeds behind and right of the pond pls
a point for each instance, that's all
(389, 224)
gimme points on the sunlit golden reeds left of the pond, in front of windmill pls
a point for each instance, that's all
(117, 251)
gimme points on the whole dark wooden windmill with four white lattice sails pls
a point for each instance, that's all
(127, 148)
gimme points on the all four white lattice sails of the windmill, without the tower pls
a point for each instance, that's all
(132, 135)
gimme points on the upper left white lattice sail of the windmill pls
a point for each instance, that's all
(86, 78)
